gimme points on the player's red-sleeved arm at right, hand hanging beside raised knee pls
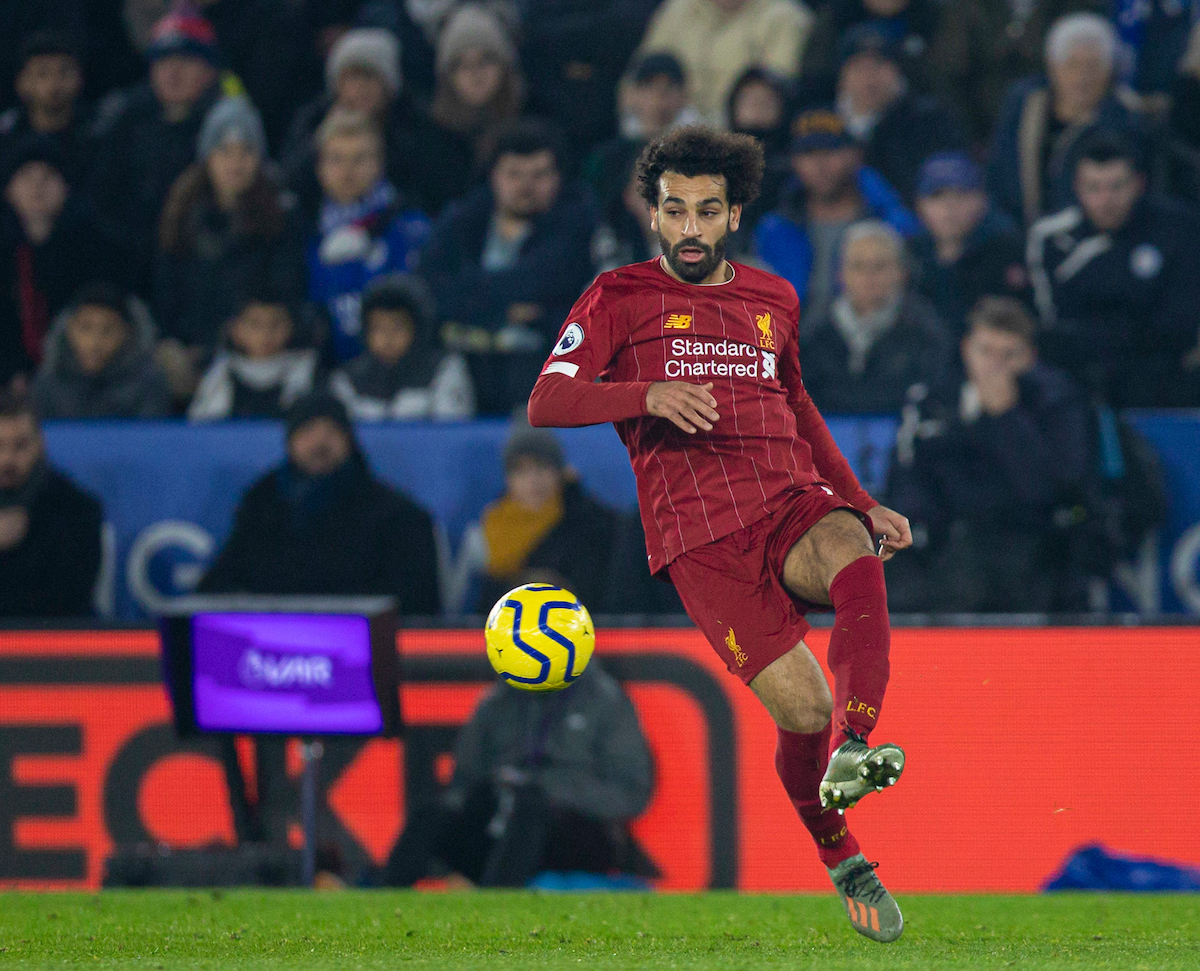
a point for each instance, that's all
(890, 525)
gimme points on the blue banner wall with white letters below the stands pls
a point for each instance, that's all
(171, 490)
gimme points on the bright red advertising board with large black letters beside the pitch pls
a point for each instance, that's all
(1023, 745)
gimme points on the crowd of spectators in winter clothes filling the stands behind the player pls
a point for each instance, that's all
(335, 211)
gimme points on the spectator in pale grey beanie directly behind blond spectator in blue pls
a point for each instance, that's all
(363, 77)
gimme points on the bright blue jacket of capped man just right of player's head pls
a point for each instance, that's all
(782, 238)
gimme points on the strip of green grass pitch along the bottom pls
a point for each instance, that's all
(251, 930)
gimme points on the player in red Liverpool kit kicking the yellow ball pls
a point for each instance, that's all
(747, 502)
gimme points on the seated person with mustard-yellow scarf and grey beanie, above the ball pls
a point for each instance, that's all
(544, 529)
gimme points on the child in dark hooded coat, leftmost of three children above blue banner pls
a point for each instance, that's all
(99, 361)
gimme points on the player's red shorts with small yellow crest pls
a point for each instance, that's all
(734, 589)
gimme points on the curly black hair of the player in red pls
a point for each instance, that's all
(699, 151)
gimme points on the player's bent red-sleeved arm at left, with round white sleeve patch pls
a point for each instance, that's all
(567, 394)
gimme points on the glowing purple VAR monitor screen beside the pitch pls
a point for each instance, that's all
(305, 674)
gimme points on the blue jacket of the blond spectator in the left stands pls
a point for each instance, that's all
(341, 266)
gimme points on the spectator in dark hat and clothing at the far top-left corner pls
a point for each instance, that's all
(50, 80)
